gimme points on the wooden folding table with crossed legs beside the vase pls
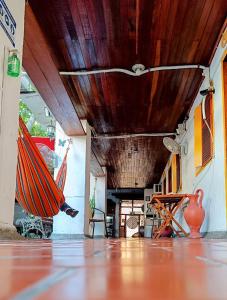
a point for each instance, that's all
(166, 206)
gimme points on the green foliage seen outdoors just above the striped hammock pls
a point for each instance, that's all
(26, 114)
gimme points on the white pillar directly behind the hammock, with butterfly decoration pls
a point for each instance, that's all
(77, 186)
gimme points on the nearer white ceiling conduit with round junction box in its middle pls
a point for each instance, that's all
(138, 72)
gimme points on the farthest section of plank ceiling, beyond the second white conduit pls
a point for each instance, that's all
(131, 163)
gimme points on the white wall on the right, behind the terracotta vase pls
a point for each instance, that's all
(212, 178)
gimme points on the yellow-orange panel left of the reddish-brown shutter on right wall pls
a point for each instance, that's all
(198, 136)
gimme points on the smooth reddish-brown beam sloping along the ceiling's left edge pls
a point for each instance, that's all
(40, 66)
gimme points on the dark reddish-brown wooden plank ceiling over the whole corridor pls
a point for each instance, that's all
(119, 33)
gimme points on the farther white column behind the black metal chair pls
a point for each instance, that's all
(100, 200)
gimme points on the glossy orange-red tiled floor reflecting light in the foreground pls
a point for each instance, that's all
(113, 269)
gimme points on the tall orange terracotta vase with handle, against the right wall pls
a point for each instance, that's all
(194, 214)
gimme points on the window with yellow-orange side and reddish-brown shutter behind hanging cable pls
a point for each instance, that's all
(203, 145)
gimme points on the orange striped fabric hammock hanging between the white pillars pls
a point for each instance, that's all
(36, 190)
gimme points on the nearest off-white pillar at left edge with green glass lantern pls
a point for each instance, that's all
(9, 100)
